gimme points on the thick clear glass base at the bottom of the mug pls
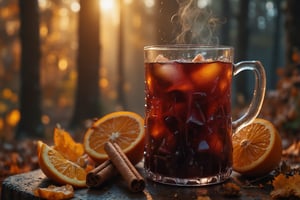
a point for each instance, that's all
(196, 181)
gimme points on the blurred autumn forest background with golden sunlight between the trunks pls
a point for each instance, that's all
(68, 61)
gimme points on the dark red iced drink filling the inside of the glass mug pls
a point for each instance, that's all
(188, 118)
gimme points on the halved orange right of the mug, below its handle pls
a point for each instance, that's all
(256, 148)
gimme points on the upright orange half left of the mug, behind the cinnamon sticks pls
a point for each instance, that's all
(124, 128)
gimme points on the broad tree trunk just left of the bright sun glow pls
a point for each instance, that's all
(87, 103)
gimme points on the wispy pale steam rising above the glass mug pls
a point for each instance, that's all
(198, 25)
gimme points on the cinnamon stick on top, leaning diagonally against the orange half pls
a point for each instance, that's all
(134, 180)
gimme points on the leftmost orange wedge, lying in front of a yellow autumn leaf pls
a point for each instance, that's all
(59, 169)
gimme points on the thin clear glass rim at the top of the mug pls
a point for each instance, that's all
(187, 47)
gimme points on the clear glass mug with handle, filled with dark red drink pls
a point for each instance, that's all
(188, 119)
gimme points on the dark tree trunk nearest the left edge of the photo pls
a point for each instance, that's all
(30, 92)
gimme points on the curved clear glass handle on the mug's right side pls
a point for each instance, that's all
(258, 93)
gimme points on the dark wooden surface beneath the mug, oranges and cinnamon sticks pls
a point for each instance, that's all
(21, 186)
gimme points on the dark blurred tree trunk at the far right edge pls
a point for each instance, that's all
(292, 24)
